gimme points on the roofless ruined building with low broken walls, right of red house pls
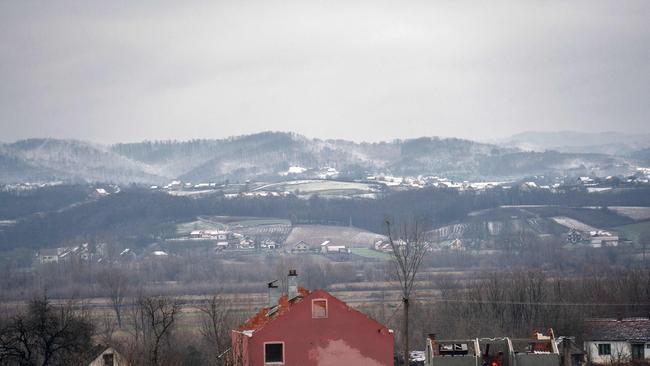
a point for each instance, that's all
(539, 350)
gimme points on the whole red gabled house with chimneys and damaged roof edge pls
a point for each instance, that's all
(310, 328)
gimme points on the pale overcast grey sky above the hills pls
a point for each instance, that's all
(109, 71)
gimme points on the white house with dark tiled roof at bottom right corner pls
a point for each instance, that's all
(617, 340)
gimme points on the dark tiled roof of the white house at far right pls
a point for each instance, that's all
(630, 329)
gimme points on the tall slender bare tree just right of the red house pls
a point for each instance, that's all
(408, 248)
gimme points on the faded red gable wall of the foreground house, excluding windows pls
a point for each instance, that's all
(345, 337)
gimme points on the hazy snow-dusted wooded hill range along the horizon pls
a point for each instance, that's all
(265, 155)
